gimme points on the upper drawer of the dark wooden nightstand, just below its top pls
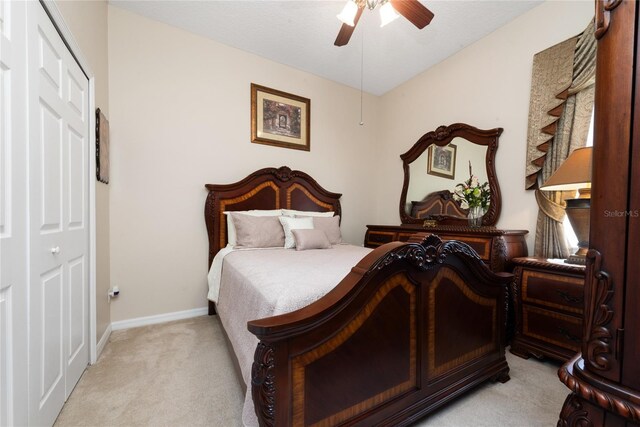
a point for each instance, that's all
(553, 290)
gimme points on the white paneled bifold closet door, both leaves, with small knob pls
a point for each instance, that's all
(59, 229)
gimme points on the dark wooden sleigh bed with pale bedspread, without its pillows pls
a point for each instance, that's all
(408, 328)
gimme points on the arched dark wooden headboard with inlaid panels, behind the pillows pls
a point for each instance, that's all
(270, 188)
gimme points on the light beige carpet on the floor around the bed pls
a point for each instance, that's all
(181, 374)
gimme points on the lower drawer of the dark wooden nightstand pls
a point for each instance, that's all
(554, 328)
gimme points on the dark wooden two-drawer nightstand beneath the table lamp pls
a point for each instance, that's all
(548, 301)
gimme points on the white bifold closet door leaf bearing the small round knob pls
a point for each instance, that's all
(48, 249)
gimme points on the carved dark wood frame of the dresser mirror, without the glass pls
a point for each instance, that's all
(443, 135)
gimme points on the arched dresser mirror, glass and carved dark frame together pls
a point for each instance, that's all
(439, 161)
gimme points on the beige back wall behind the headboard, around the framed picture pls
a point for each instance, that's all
(180, 118)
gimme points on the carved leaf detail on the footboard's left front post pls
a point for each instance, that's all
(263, 387)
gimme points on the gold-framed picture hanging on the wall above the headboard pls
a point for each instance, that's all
(280, 119)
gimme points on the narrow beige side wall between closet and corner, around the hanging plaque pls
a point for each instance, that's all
(87, 21)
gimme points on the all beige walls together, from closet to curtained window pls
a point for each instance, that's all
(179, 119)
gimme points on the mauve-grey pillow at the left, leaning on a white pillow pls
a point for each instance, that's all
(257, 231)
